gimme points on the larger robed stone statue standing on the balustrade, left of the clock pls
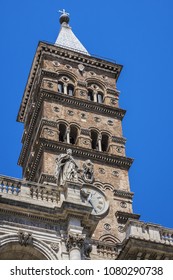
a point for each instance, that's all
(66, 168)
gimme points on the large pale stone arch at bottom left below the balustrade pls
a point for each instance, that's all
(11, 249)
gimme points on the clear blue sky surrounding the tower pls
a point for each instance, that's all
(138, 35)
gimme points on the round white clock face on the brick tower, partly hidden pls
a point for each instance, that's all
(96, 199)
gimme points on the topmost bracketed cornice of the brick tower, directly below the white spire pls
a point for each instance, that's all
(58, 52)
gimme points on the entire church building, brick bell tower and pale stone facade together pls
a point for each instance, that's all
(74, 200)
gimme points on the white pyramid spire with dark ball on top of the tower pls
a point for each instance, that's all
(66, 37)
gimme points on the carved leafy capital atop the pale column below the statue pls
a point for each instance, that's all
(75, 241)
